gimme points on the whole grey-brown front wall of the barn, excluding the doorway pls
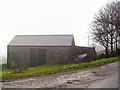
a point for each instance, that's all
(21, 56)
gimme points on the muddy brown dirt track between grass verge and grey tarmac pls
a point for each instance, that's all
(73, 79)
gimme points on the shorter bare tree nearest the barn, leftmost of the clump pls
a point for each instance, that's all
(100, 34)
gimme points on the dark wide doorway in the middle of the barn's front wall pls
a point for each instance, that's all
(37, 56)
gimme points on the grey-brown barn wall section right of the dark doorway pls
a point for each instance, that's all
(59, 55)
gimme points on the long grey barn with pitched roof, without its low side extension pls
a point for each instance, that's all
(34, 50)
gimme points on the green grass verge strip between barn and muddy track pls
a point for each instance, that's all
(52, 69)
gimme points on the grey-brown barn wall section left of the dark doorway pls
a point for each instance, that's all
(18, 57)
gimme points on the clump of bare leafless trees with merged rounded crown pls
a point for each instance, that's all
(106, 26)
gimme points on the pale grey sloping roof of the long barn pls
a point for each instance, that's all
(42, 40)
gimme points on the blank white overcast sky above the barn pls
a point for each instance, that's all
(18, 17)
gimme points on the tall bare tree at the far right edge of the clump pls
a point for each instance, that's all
(113, 19)
